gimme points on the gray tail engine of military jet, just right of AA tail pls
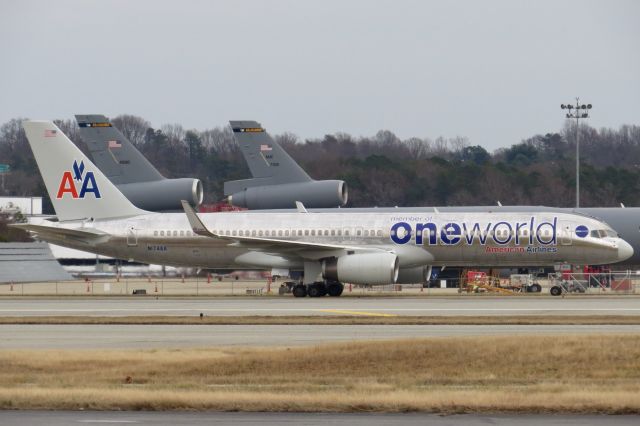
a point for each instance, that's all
(162, 195)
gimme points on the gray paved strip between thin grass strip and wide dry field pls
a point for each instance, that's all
(23, 336)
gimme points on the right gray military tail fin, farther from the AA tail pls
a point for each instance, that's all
(268, 162)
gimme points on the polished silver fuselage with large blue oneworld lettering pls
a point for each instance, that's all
(423, 238)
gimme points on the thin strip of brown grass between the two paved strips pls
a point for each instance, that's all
(332, 320)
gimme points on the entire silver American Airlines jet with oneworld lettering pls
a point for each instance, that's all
(331, 248)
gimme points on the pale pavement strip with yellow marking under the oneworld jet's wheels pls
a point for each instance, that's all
(244, 306)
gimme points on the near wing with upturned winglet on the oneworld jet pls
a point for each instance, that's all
(200, 228)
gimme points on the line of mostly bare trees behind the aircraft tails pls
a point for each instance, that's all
(382, 170)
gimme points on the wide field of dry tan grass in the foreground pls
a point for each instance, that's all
(533, 374)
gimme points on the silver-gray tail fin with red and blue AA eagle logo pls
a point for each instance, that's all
(78, 189)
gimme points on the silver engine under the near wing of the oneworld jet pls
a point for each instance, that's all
(362, 268)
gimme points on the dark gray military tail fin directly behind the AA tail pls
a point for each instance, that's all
(113, 153)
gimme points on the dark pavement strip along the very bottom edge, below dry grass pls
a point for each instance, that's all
(64, 418)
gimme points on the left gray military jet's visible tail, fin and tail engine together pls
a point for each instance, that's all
(131, 172)
